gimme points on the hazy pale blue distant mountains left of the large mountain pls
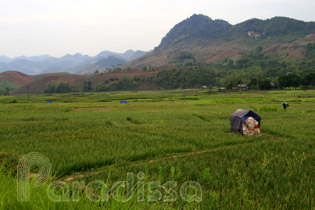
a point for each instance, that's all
(75, 64)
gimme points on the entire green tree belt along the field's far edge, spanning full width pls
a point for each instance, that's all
(255, 69)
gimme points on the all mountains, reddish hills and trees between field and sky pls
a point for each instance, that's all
(262, 50)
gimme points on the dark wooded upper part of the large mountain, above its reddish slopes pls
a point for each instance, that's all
(202, 30)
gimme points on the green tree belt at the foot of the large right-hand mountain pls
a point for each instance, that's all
(255, 69)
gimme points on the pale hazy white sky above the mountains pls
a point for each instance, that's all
(57, 27)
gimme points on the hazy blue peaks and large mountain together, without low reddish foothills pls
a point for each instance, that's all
(205, 39)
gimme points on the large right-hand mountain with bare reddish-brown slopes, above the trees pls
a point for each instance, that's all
(209, 40)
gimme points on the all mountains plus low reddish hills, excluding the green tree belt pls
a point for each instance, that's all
(196, 41)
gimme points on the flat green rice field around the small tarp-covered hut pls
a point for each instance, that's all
(180, 135)
